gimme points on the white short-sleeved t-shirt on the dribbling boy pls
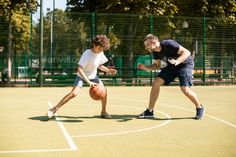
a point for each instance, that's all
(90, 61)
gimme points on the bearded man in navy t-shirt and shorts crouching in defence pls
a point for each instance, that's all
(179, 64)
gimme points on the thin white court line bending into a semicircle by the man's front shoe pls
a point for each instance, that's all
(128, 131)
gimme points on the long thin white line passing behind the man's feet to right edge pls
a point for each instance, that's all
(207, 115)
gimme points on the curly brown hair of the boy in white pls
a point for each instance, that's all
(102, 41)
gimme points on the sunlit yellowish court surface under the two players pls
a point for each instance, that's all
(78, 131)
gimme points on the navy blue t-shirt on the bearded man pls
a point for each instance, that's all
(169, 49)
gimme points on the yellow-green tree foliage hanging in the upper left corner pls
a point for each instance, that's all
(17, 14)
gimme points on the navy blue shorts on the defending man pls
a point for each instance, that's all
(169, 73)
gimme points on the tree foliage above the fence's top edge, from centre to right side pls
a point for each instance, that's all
(225, 9)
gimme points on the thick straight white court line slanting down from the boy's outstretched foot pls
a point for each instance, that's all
(64, 131)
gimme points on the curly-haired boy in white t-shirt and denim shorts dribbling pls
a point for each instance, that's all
(90, 61)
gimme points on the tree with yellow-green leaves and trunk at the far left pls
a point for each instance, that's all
(16, 15)
